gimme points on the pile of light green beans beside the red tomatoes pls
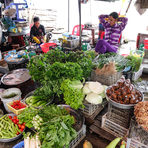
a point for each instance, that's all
(7, 128)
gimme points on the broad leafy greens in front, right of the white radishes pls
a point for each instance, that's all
(56, 131)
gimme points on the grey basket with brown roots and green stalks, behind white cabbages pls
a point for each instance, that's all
(108, 68)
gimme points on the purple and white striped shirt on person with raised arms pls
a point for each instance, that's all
(112, 33)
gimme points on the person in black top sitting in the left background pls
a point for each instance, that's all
(37, 31)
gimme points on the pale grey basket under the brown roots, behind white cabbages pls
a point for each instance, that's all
(106, 80)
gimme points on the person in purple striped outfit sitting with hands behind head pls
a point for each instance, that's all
(113, 27)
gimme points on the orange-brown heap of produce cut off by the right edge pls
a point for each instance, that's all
(141, 114)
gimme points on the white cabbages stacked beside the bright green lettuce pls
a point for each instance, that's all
(95, 92)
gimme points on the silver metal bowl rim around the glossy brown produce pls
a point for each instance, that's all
(121, 106)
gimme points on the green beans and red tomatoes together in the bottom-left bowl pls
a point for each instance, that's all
(10, 127)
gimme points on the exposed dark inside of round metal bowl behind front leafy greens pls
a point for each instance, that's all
(79, 118)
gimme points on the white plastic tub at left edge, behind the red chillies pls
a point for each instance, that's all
(8, 100)
